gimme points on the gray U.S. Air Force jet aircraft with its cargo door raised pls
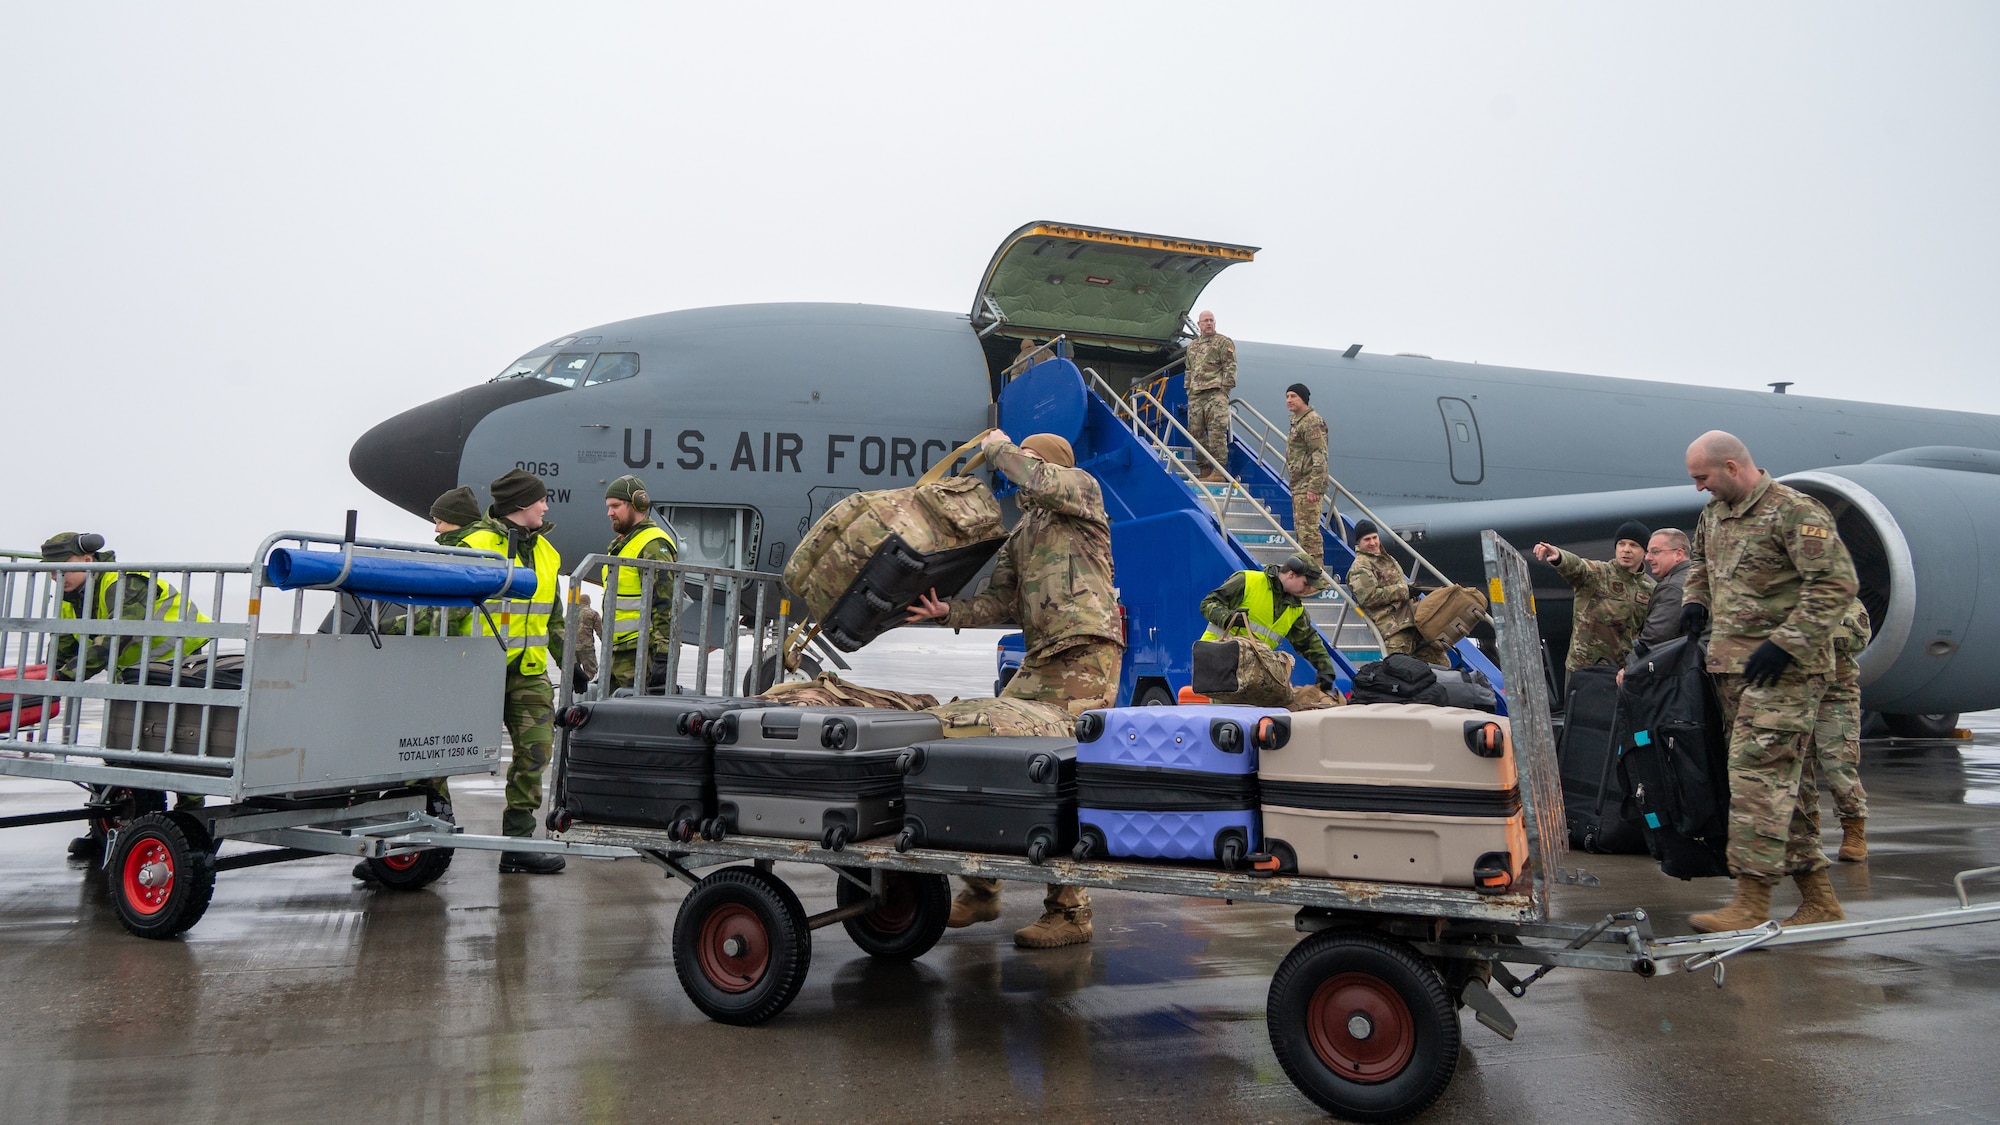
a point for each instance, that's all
(751, 419)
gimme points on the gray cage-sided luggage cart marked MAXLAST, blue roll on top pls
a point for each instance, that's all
(311, 752)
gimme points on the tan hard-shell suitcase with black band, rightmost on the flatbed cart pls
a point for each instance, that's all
(1397, 794)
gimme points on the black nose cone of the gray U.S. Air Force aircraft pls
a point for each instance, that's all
(413, 457)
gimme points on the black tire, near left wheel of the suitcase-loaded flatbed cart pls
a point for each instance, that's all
(789, 946)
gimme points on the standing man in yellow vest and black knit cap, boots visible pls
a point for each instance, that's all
(533, 630)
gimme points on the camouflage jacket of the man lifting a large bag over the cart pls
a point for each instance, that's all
(1055, 570)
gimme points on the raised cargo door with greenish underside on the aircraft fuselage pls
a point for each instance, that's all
(1099, 287)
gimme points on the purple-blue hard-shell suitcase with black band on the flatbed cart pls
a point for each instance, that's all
(1169, 784)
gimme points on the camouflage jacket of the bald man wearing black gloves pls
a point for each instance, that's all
(1771, 570)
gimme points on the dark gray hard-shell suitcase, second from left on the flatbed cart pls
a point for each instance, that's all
(815, 774)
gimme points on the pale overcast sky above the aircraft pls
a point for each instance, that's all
(233, 237)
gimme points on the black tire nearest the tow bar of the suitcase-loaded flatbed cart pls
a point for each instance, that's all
(1401, 972)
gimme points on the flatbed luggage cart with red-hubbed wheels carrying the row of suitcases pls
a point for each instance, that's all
(1363, 1014)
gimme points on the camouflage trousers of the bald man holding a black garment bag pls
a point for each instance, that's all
(1775, 804)
